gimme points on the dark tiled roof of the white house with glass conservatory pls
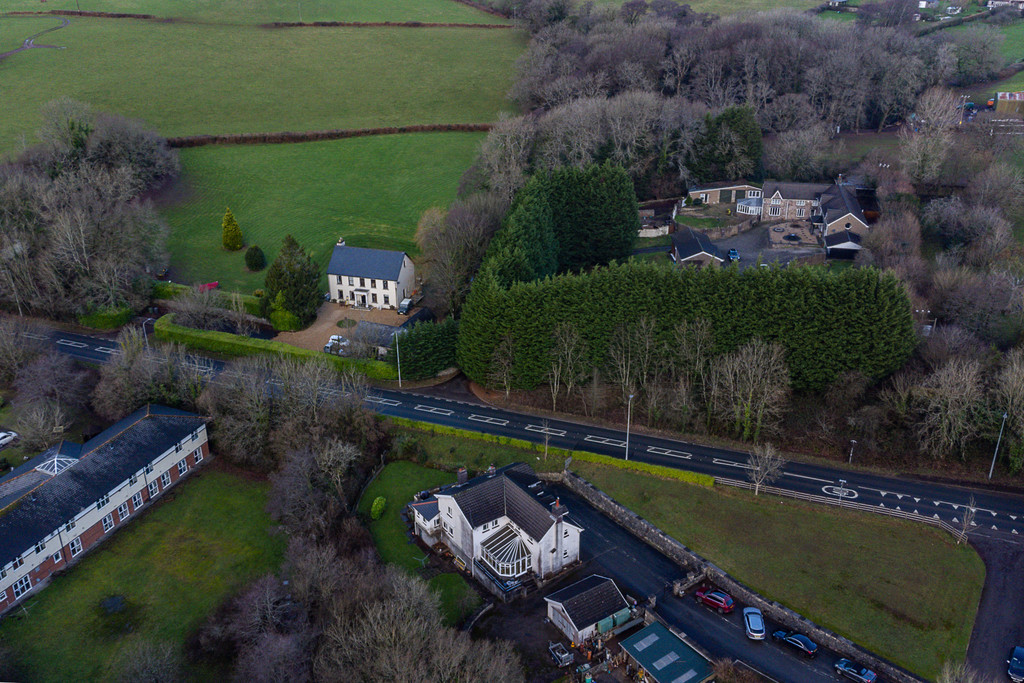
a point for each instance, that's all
(513, 491)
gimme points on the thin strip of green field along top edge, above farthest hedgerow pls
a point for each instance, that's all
(260, 12)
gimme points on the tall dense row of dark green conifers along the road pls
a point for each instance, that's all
(828, 322)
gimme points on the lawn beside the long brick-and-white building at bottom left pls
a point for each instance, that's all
(174, 567)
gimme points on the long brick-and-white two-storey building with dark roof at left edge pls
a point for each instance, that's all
(65, 501)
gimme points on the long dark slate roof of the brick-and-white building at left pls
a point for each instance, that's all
(104, 462)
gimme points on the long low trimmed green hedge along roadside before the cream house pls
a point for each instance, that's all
(229, 345)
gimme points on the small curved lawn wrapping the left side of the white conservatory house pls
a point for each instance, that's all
(399, 483)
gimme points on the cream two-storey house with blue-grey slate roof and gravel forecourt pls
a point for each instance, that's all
(370, 278)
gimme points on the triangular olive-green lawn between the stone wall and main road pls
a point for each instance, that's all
(905, 591)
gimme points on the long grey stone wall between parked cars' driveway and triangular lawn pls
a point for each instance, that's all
(693, 563)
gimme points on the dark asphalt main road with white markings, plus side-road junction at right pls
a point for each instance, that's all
(999, 518)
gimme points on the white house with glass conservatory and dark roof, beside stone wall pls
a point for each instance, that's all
(502, 527)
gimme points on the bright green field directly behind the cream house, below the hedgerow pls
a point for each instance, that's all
(371, 191)
